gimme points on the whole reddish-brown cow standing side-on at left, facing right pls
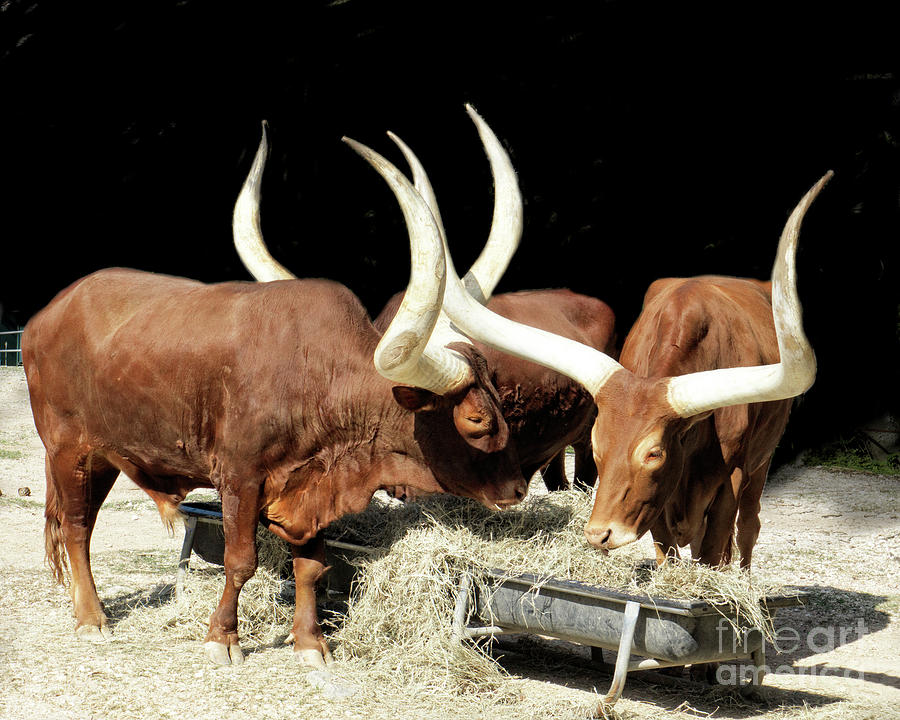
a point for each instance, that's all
(265, 392)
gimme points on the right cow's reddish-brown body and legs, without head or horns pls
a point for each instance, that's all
(727, 452)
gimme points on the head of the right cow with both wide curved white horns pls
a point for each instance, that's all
(641, 427)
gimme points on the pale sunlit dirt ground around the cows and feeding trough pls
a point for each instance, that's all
(837, 534)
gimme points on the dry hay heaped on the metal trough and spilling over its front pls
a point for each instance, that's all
(399, 618)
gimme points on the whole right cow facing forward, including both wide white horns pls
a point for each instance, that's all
(685, 430)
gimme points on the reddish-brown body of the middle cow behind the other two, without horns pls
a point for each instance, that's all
(545, 410)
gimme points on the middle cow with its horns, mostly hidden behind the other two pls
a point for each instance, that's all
(545, 411)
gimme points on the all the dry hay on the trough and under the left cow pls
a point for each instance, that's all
(396, 630)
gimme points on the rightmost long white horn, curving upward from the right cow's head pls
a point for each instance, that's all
(794, 374)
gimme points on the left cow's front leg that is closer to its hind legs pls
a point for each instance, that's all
(240, 516)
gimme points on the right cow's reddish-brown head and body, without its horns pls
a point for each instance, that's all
(686, 479)
